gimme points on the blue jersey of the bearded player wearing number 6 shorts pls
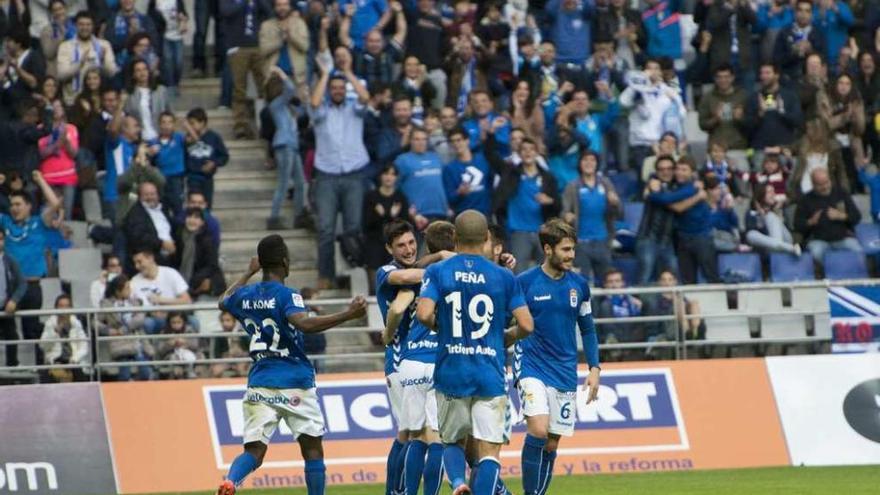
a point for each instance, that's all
(550, 353)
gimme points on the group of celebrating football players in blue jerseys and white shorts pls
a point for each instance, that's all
(449, 319)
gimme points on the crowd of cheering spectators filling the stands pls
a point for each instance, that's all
(420, 109)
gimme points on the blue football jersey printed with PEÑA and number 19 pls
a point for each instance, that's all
(473, 296)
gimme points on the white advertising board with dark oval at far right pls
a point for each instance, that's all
(829, 407)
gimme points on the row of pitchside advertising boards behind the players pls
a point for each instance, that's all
(658, 416)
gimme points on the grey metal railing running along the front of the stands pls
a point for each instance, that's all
(679, 346)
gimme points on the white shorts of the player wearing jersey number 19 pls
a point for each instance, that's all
(485, 418)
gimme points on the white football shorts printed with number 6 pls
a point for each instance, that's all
(538, 399)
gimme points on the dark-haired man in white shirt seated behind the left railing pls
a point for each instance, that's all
(157, 285)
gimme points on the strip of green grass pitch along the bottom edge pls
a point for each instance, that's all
(767, 481)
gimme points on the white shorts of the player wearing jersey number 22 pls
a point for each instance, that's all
(264, 408)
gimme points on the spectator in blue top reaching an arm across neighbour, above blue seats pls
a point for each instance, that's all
(695, 248)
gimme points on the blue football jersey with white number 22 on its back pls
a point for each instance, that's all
(276, 346)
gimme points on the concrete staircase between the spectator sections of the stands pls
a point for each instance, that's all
(243, 192)
